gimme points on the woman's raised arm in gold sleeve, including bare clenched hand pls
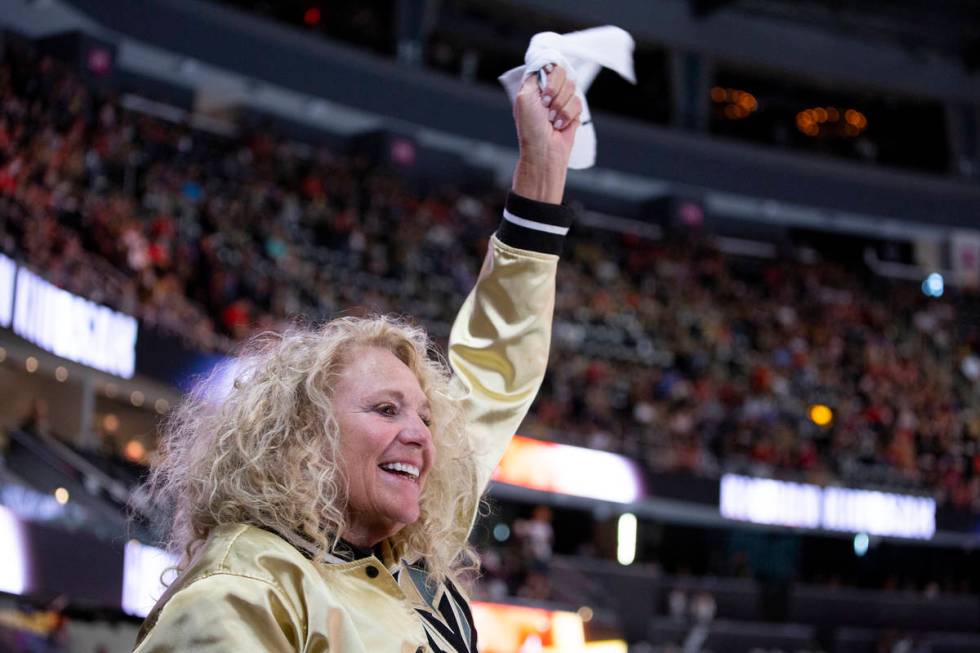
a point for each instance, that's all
(500, 341)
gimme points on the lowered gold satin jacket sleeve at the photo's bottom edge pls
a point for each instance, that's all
(223, 613)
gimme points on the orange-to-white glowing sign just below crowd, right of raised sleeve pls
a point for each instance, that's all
(560, 468)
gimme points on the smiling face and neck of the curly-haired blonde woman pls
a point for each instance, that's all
(385, 443)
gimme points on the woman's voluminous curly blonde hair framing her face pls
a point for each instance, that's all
(266, 453)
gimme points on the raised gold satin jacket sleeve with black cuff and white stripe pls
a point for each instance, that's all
(499, 344)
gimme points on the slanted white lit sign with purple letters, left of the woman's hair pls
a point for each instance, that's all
(73, 327)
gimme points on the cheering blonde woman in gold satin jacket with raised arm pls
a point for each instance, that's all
(325, 503)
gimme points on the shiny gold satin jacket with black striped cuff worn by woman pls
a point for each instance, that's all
(250, 590)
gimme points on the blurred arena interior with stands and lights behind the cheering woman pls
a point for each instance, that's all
(760, 428)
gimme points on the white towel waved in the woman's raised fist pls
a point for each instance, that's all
(581, 54)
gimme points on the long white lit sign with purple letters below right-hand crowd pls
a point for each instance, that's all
(767, 501)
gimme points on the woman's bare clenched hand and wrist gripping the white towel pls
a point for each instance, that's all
(546, 123)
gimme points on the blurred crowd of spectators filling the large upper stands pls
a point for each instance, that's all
(672, 353)
